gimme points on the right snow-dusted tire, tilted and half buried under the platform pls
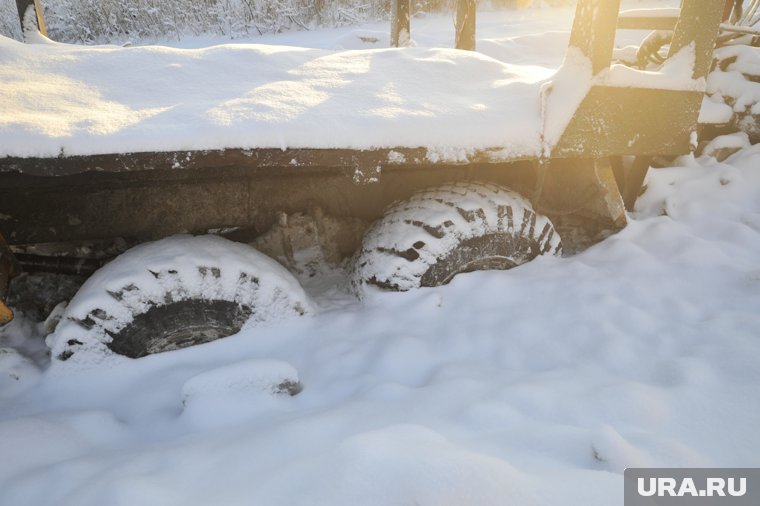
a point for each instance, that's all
(451, 229)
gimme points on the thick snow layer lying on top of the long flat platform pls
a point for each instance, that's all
(60, 99)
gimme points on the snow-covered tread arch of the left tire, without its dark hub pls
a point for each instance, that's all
(170, 270)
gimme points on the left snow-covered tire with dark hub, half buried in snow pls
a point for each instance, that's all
(173, 293)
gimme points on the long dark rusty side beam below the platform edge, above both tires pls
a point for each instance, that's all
(146, 205)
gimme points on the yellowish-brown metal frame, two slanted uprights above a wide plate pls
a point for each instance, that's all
(620, 121)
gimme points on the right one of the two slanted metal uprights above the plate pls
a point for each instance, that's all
(698, 25)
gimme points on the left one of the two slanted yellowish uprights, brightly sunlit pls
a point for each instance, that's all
(594, 30)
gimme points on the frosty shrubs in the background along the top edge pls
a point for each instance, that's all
(99, 21)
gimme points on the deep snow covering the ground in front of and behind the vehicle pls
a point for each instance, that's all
(534, 386)
